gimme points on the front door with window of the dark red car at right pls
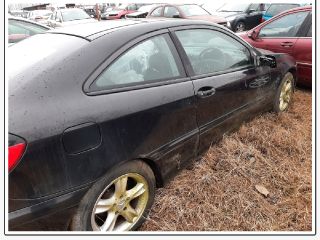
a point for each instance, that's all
(280, 35)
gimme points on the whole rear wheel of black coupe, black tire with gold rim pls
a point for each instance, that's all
(121, 209)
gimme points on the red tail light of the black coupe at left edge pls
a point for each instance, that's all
(17, 147)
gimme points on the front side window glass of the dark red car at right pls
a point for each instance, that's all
(286, 26)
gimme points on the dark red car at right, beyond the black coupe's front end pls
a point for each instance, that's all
(289, 32)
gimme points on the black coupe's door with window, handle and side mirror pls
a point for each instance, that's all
(226, 81)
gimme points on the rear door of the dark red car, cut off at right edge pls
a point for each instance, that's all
(303, 54)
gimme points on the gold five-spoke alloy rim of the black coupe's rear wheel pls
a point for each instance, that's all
(121, 204)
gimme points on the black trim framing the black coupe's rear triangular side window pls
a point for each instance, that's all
(136, 85)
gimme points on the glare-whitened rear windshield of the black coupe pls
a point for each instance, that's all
(40, 48)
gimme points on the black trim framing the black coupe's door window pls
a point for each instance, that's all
(187, 63)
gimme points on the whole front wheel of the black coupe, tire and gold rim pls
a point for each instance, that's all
(284, 93)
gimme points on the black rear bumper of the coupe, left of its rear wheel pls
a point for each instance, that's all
(53, 214)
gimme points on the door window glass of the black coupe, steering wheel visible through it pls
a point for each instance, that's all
(211, 51)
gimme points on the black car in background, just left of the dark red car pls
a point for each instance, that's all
(242, 16)
